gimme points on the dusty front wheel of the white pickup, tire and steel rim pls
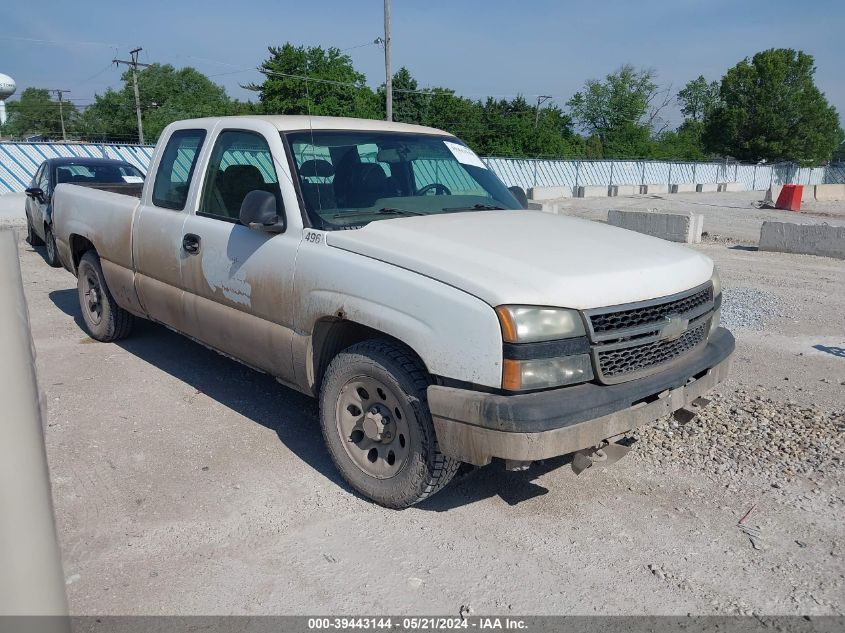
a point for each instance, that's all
(377, 426)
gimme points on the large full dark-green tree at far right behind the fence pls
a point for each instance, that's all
(771, 109)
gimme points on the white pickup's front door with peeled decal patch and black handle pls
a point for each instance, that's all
(239, 281)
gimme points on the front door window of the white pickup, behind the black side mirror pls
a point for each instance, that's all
(240, 162)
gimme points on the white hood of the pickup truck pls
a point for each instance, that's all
(531, 257)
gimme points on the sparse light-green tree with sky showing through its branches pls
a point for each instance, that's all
(620, 111)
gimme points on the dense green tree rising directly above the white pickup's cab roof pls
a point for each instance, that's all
(333, 88)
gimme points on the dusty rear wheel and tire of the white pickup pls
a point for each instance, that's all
(104, 319)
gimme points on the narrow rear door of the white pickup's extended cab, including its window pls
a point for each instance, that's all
(157, 234)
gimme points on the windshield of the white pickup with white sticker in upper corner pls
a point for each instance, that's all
(351, 178)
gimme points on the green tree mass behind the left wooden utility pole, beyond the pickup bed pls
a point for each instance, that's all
(167, 95)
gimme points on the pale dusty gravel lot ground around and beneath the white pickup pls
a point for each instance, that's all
(186, 483)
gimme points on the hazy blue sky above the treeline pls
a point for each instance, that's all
(478, 48)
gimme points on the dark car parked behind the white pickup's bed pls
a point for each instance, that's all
(102, 173)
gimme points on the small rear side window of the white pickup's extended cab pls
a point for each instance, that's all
(173, 178)
